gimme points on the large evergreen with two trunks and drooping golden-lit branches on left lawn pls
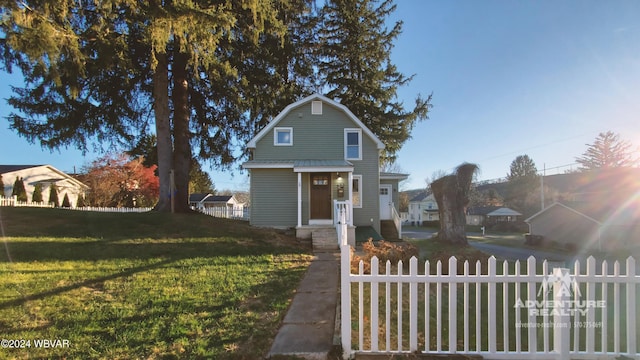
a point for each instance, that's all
(93, 71)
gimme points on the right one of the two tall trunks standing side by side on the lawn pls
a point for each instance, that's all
(181, 135)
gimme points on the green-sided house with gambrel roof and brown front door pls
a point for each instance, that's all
(310, 160)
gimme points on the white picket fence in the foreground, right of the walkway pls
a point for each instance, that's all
(539, 314)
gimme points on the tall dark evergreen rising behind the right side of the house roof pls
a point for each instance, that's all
(355, 64)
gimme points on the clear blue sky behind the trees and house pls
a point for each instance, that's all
(541, 78)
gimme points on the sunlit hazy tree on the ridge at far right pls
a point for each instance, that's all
(607, 151)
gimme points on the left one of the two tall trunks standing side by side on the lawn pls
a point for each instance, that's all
(163, 131)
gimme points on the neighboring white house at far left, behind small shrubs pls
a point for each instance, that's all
(44, 175)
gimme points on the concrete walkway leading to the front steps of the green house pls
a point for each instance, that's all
(308, 328)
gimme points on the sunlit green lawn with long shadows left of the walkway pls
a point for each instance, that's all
(128, 286)
